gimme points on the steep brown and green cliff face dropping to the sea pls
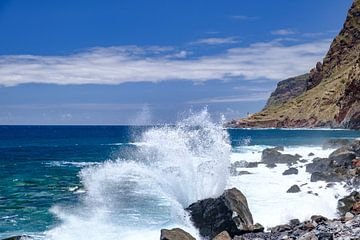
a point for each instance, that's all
(329, 96)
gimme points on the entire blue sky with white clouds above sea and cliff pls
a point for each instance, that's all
(150, 62)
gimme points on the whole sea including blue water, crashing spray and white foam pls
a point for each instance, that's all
(129, 182)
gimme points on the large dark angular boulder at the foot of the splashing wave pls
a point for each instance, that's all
(229, 212)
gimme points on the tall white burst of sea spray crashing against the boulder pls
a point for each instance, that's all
(134, 198)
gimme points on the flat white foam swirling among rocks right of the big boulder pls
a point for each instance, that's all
(265, 188)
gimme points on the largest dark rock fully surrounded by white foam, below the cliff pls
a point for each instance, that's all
(273, 156)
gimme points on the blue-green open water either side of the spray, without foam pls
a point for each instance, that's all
(40, 167)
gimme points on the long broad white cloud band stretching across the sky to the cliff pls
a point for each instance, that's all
(116, 65)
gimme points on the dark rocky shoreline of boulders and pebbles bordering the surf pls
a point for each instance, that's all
(228, 217)
